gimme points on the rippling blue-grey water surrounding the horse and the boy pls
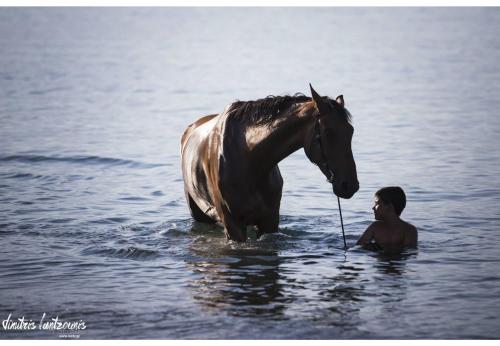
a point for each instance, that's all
(93, 221)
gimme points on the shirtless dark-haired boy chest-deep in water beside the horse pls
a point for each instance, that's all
(389, 232)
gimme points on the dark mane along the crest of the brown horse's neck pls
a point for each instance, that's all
(264, 111)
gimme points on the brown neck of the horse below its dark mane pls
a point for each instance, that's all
(269, 144)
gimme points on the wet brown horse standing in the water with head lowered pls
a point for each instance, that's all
(230, 160)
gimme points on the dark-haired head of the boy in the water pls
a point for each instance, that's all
(389, 201)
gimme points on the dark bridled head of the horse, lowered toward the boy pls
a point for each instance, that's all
(328, 144)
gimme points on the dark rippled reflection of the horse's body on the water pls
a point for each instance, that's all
(247, 285)
